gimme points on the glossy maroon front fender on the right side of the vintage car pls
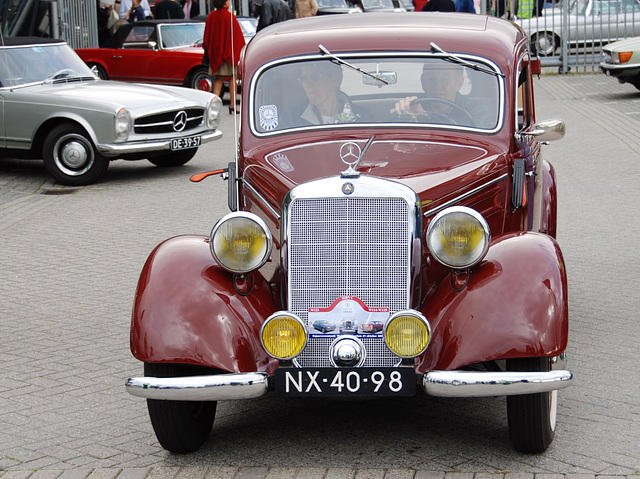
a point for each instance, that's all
(513, 305)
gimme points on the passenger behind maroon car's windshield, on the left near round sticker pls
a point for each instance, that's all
(326, 102)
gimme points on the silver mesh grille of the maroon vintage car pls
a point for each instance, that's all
(348, 246)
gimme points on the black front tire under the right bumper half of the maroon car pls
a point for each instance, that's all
(531, 417)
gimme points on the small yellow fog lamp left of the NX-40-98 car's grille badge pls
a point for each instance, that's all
(283, 335)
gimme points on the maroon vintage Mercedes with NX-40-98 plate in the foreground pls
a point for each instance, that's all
(389, 169)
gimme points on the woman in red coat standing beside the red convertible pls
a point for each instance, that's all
(223, 40)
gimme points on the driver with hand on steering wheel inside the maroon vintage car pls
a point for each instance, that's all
(441, 84)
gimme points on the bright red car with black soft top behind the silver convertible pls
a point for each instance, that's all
(153, 51)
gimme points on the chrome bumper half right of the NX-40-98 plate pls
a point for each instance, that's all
(486, 383)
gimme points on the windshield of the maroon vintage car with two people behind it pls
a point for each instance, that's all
(390, 90)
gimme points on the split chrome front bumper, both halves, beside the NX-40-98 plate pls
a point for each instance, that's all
(223, 387)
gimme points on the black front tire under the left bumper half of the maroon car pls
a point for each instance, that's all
(180, 426)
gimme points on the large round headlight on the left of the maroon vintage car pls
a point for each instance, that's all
(240, 242)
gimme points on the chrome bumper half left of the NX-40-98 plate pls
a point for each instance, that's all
(218, 387)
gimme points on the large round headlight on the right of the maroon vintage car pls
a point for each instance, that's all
(458, 237)
